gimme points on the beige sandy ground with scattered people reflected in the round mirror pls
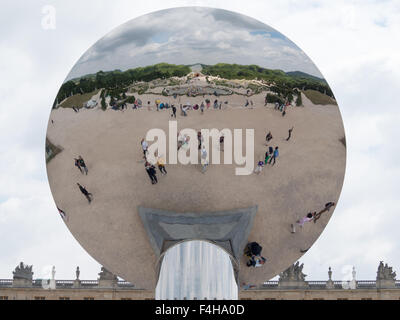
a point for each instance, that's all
(308, 173)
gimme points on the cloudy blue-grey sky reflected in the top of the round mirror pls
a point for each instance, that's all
(193, 35)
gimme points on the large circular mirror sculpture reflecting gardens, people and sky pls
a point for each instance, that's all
(195, 124)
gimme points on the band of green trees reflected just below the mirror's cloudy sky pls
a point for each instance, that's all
(115, 82)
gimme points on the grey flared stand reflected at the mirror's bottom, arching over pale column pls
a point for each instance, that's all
(228, 229)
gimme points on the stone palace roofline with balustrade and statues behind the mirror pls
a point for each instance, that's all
(290, 286)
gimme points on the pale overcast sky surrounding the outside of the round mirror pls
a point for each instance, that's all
(354, 45)
